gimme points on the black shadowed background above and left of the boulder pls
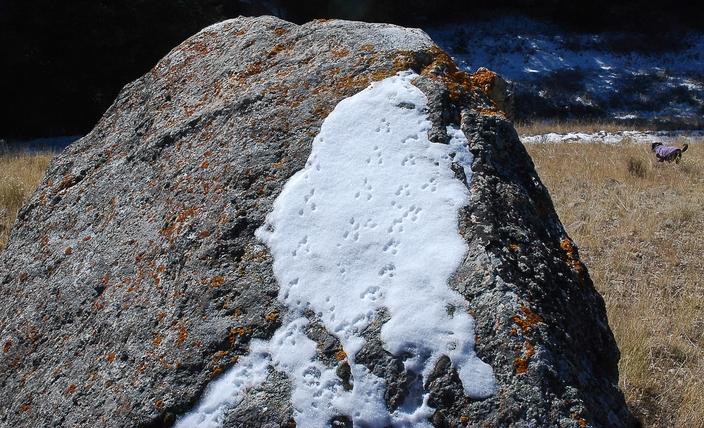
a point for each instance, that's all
(63, 62)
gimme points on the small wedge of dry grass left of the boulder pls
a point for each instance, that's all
(19, 175)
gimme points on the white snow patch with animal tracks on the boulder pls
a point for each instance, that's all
(369, 223)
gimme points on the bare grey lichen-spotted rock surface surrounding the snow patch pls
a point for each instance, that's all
(133, 277)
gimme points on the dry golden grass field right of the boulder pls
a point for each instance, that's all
(639, 227)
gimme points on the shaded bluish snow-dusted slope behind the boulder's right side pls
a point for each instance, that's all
(560, 74)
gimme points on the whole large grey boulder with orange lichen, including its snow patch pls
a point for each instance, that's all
(142, 270)
